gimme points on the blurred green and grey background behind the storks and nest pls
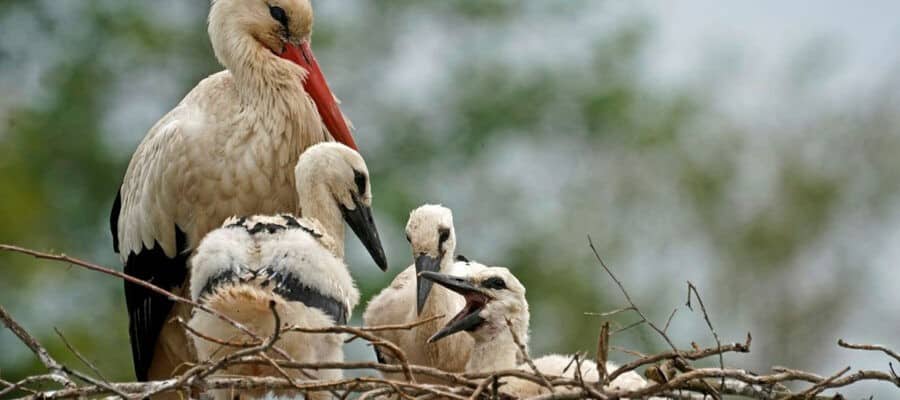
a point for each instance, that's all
(753, 149)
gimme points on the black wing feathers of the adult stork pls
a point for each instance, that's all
(147, 311)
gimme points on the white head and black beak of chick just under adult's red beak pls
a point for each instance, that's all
(333, 181)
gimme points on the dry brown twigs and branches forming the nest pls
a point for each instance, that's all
(675, 378)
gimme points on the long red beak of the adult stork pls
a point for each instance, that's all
(317, 88)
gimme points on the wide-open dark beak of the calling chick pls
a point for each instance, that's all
(467, 319)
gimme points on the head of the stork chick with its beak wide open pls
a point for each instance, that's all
(493, 296)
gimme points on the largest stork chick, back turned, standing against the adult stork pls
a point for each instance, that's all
(295, 263)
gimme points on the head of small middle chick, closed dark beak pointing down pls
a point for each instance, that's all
(431, 235)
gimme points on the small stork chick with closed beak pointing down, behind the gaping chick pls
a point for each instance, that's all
(432, 237)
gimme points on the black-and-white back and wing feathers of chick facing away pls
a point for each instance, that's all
(289, 257)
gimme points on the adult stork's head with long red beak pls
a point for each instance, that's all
(245, 33)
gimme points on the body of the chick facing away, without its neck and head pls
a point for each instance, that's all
(248, 263)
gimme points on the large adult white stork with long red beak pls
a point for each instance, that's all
(228, 148)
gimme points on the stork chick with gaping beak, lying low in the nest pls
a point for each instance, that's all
(494, 296)
